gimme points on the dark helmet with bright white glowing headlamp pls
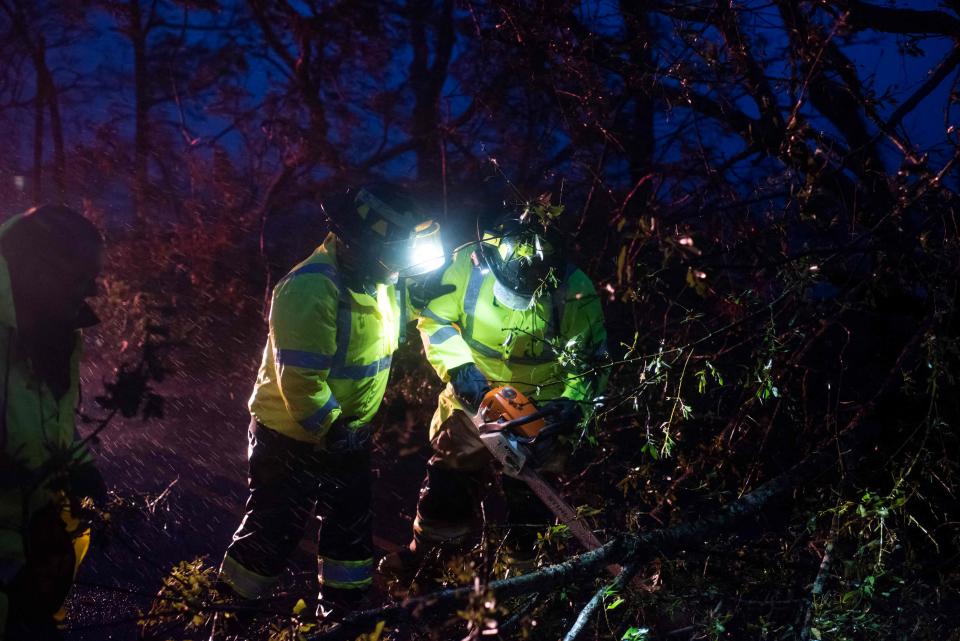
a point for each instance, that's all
(386, 226)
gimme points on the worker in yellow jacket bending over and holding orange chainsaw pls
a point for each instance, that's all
(519, 314)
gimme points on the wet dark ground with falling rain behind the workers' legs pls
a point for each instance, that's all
(183, 481)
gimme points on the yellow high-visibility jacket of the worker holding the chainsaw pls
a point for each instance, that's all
(520, 348)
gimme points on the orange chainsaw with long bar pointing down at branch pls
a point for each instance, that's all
(509, 423)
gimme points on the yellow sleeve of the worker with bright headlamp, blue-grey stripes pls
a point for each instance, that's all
(303, 337)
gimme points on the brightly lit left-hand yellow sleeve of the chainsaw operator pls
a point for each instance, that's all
(442, 319)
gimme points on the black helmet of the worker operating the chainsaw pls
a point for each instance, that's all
(525, 260)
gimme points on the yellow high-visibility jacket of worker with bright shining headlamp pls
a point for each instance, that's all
(328, 350)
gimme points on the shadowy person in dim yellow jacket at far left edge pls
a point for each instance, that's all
(50, 258)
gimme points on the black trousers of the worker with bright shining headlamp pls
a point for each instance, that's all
(288, 479)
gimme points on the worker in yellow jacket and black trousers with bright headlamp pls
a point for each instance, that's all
(335, 320)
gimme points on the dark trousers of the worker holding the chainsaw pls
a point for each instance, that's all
(449, 503)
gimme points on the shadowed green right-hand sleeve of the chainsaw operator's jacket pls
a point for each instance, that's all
(585, 334)
